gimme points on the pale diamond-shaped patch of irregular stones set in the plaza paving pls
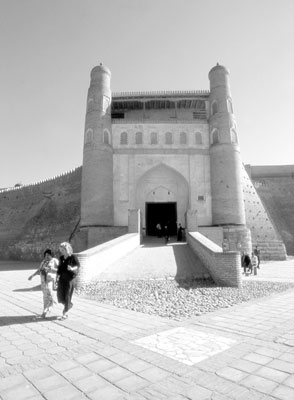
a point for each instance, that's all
(185, 345)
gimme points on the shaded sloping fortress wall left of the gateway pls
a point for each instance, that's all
(39, 215)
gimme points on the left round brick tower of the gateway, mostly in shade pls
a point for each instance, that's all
(97, 172)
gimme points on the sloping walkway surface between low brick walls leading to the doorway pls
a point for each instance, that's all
(156, 260)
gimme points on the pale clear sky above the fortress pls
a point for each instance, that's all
(48, 48)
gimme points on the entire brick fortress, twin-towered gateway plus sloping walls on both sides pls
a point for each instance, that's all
(149, 158)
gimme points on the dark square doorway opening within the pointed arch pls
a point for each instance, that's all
(162, 213)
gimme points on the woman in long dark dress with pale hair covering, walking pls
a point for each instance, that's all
(67, 272)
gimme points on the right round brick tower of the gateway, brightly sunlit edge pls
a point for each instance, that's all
(225, 161)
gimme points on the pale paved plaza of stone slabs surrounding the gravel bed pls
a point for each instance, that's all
(101, 352)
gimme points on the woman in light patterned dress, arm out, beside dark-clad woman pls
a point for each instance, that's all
(47, 271)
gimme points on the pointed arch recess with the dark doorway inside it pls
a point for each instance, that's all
(162, 195)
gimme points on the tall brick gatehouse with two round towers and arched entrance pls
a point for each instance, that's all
(174, 156)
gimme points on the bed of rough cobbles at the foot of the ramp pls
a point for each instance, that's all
(177, 299)
